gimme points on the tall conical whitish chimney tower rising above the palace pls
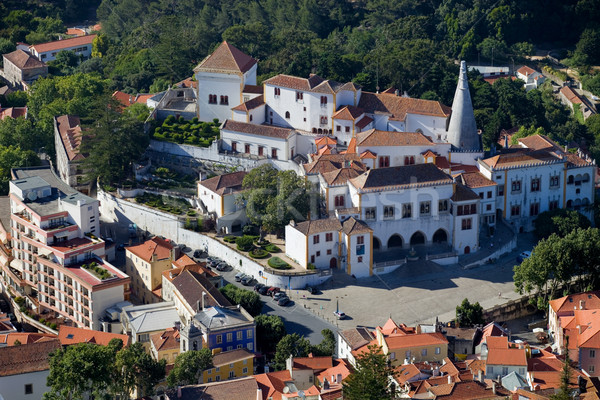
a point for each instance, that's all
(462, 130)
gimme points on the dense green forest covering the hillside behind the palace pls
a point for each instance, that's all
(412, 45)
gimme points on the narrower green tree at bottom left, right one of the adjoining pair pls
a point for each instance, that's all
(137, 371)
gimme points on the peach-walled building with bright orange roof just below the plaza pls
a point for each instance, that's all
(401, 343)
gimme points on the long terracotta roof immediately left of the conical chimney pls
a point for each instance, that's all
(398, 106)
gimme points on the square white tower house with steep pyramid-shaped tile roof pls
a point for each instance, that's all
(221, 78)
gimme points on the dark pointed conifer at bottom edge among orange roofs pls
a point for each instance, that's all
(370, 380)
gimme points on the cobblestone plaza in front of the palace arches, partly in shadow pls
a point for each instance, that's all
(418, 292)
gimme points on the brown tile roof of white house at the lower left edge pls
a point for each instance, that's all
(26, 358)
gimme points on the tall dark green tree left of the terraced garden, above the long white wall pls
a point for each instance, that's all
(113, 143)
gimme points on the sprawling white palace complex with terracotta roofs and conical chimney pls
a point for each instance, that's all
(395, 172)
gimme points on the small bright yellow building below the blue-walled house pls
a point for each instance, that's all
(229, 365)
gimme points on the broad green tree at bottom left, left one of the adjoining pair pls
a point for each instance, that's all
(80, 369)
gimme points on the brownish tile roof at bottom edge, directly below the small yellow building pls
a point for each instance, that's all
(239, 389)
